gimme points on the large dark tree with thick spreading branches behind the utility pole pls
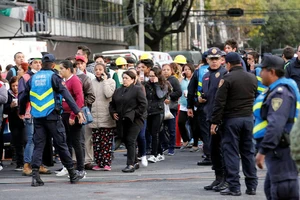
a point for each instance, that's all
(164, 14)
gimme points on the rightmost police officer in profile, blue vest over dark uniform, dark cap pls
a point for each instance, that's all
(275, 111)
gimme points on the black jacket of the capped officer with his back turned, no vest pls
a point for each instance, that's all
(235, 95)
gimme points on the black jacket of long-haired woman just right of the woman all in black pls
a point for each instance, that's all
(156, 97)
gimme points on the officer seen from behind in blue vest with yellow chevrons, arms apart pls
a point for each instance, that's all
(44, 90)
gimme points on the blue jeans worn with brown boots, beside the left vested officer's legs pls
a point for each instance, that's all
(29, 145)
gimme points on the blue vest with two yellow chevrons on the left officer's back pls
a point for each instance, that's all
(41, 94)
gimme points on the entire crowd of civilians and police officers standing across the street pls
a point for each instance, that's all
(138, 104)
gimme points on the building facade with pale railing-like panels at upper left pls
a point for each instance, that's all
(65, 24)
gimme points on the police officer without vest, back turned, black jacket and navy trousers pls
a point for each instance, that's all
(233, 107)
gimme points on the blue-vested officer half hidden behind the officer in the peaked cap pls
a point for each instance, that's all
(196, 113)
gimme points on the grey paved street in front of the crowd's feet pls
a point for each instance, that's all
(178, 177)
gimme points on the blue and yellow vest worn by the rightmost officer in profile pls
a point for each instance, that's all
(261, 124)
